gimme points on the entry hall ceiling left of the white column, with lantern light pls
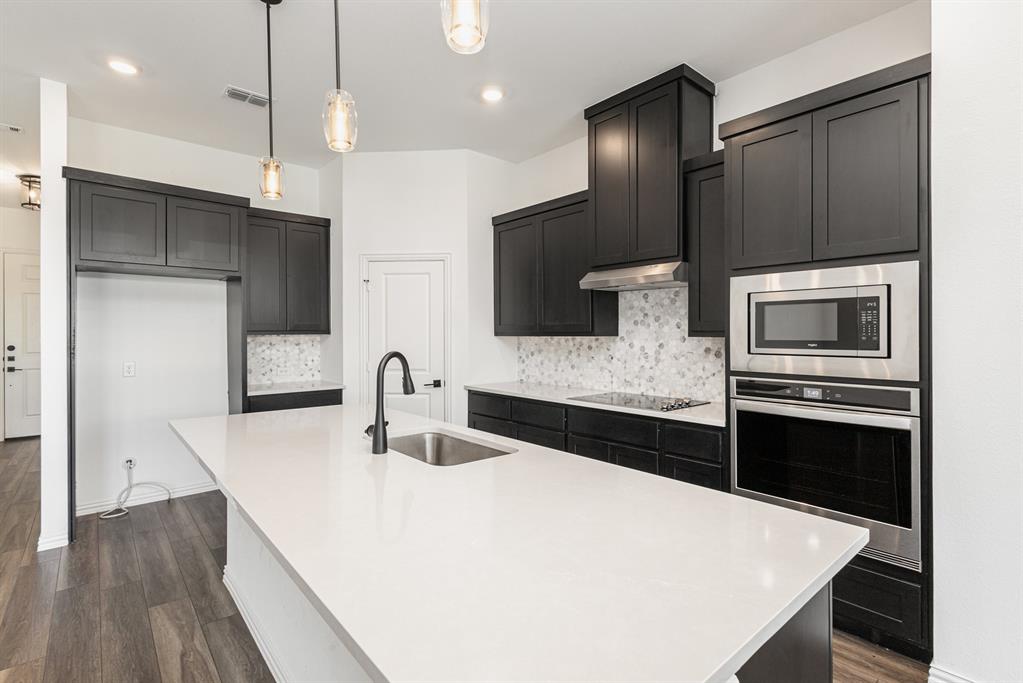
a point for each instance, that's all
(19, 152)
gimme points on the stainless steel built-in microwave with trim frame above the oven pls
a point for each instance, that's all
(861, 322)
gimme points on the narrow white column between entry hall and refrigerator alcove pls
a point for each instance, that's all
(54, 312)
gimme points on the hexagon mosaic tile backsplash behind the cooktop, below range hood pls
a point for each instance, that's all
(652, 354)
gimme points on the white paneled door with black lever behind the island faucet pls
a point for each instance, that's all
(407, 313)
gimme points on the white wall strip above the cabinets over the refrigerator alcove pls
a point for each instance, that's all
(126, 153)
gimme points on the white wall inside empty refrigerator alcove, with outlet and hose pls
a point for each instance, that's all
(174, 331)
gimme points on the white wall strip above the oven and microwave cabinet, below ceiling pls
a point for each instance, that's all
(894, 37)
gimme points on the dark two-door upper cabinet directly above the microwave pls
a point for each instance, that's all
(837, 174)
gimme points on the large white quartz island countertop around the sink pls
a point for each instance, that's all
(533, 566)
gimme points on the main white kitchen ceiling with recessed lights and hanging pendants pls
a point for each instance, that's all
(554, 59)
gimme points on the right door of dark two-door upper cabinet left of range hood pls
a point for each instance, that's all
(564, 260)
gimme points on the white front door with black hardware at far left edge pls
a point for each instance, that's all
(22, 388)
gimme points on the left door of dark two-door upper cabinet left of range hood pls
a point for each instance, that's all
(516, 279)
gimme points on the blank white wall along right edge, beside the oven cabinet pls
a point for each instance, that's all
(976, 188)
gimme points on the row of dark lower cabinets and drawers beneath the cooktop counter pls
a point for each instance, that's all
(686, 452)
